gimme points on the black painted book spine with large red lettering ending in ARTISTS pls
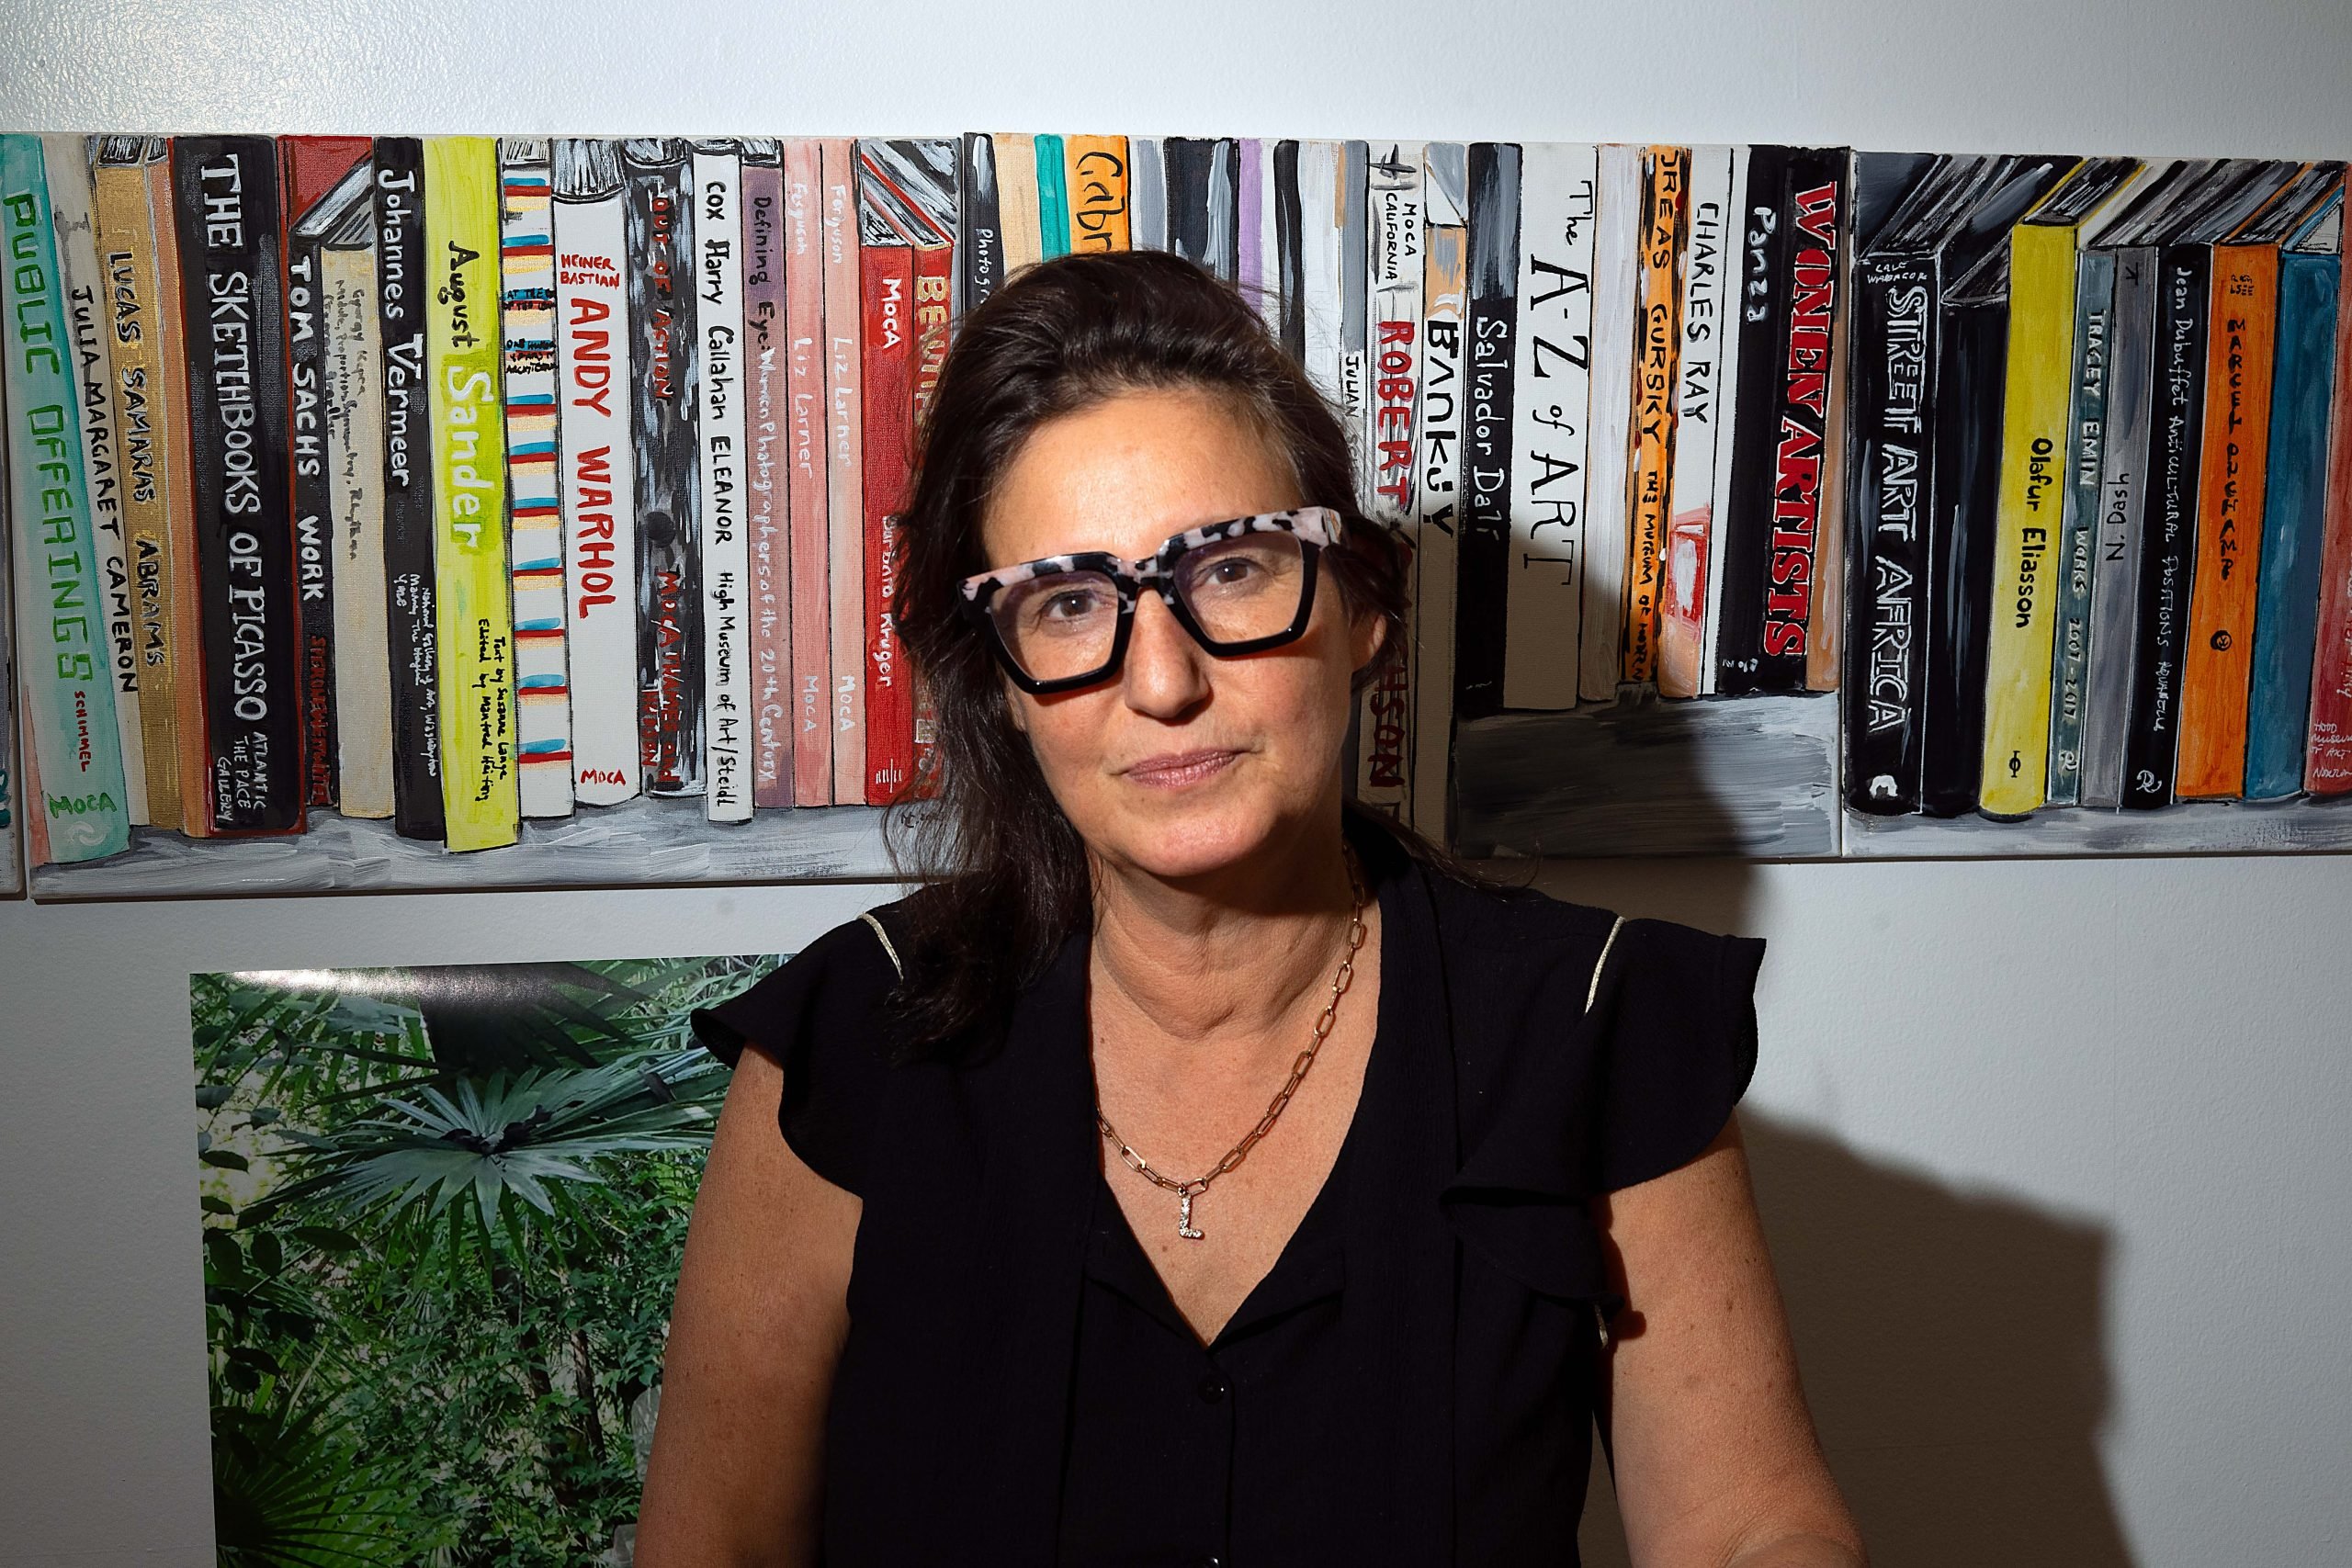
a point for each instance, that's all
(1815, 225)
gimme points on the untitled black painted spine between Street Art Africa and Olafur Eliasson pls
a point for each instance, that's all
(1963, 530)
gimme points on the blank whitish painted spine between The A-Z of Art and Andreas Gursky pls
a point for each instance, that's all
(1603, 448)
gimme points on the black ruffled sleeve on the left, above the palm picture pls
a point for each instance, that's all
(820, 1019)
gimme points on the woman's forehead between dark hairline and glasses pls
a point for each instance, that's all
(1130, 471)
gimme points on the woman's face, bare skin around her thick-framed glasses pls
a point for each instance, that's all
(1180, 763)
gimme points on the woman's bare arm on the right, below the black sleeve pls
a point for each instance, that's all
(1713, 1449)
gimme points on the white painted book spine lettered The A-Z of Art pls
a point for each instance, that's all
(1551, 396)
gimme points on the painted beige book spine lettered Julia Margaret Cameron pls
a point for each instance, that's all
(102, 448)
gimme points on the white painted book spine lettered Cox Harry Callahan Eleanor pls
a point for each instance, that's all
(719, 239)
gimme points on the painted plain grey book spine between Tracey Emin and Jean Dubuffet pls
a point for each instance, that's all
(2123, 502)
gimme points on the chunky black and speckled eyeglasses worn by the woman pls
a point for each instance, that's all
(1236, 587)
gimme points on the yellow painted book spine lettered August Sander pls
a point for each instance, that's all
(476, 626)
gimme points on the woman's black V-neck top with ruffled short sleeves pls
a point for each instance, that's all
(1410, 1383)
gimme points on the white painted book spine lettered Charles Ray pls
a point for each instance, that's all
(1699, 387)
